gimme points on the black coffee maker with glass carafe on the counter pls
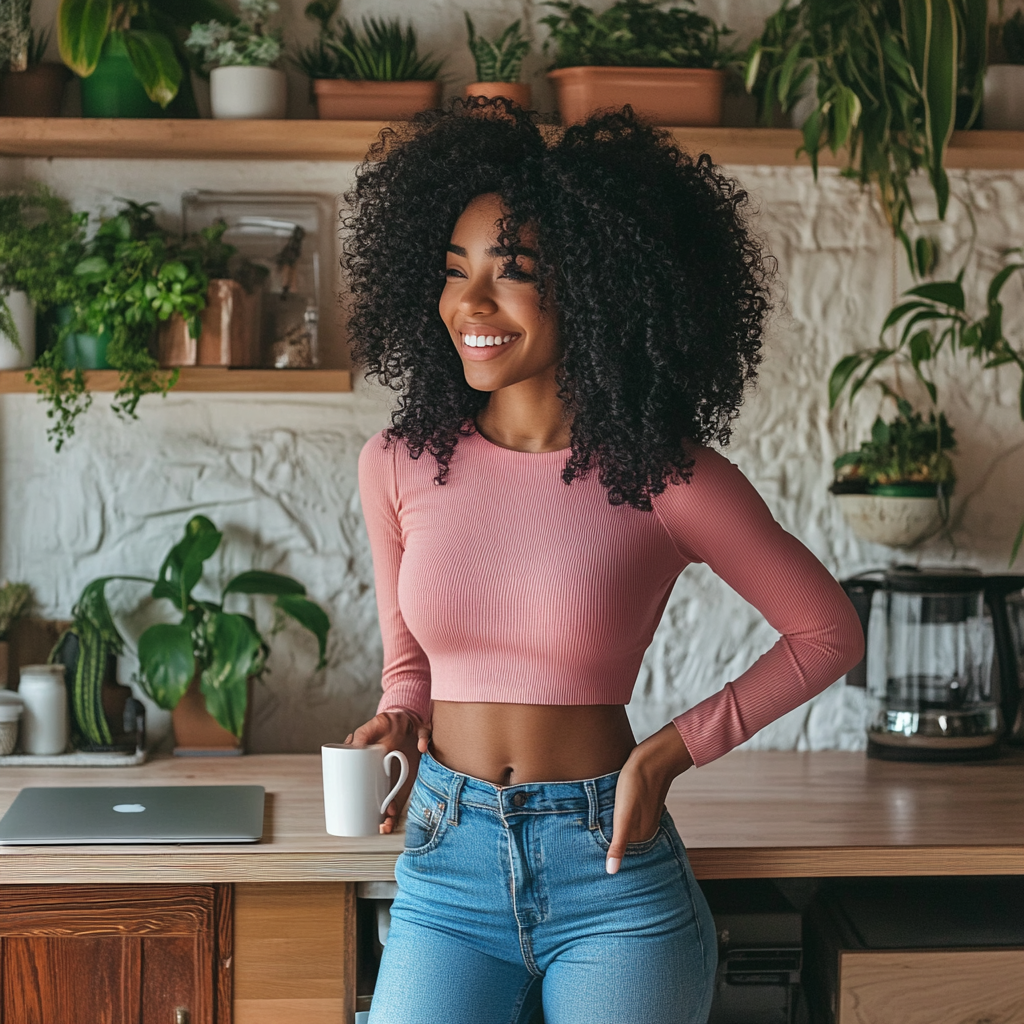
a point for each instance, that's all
(933, 639)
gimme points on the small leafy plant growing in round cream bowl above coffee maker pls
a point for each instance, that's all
(908, 450)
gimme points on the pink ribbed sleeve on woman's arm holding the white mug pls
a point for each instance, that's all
(407, 671)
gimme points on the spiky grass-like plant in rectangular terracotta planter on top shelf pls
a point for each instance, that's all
(376, 75)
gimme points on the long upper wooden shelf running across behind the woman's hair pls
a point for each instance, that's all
(349, 141)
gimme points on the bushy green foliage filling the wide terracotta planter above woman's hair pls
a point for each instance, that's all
(635, 34)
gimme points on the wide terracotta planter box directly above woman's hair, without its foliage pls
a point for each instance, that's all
(670, 97)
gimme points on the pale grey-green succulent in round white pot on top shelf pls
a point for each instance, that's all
(241, 58)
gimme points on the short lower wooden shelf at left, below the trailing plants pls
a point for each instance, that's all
(210, 379)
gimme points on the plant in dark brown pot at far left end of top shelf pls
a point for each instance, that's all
(30, 87)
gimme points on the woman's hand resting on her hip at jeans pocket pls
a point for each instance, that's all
(644, 785)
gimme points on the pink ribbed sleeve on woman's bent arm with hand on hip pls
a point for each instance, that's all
(718, 519)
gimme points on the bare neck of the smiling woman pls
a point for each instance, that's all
(528, 416)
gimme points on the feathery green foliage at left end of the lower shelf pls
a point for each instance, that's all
(41, 241)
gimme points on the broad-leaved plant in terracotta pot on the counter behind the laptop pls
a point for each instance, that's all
(200, 668)
